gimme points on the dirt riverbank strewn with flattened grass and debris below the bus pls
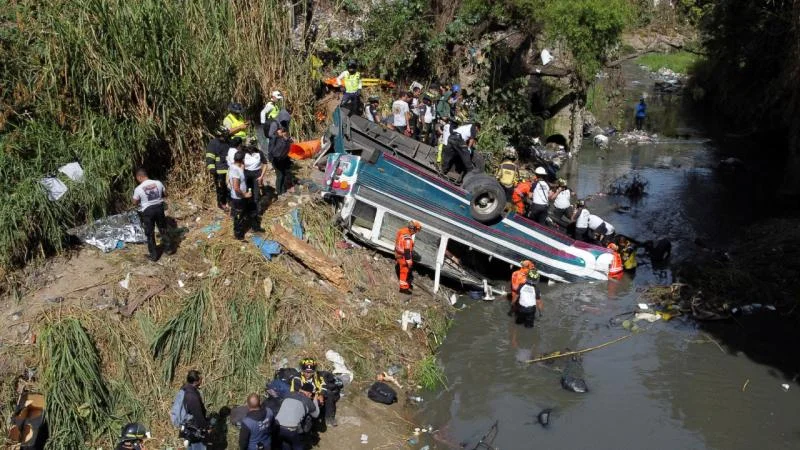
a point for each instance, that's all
(253, 316)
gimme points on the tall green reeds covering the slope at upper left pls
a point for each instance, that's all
(112, 84)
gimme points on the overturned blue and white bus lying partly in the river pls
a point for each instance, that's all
(380, 182)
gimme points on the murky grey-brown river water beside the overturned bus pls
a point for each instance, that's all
(666, 387)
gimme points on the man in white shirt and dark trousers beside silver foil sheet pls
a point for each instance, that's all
(149, 197)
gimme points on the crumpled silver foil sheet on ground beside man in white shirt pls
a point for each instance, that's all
(110, 232)
